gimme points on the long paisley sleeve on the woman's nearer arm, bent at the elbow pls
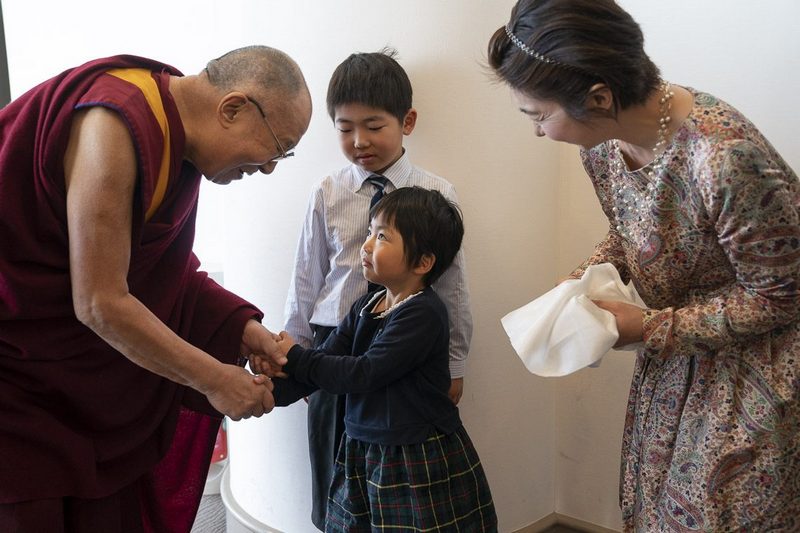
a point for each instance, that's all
(753, 205)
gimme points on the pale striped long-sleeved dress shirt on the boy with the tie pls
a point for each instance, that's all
(327, 275)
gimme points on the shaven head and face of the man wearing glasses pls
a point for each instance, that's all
(242, 111)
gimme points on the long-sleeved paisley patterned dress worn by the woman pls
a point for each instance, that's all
(711, 241)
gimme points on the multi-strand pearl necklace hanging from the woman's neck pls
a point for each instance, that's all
(632, 202)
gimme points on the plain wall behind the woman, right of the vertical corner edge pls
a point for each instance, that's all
(747, 53)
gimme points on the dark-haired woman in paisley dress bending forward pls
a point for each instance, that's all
(704, 220)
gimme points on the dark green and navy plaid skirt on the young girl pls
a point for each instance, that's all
(436, 485)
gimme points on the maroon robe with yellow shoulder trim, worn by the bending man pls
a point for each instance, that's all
(78, 418)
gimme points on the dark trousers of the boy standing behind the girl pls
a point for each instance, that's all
(325, 429)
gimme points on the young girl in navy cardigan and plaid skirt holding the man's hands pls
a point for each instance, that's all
(405, 462)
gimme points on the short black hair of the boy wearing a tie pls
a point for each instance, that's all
(372, 79)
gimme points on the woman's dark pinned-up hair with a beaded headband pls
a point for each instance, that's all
(558, 49)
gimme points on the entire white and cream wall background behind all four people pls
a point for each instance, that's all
(530, 213)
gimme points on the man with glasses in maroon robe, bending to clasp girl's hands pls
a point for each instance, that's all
(117, 357)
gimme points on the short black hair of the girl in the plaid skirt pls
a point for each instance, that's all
(429, 224)
